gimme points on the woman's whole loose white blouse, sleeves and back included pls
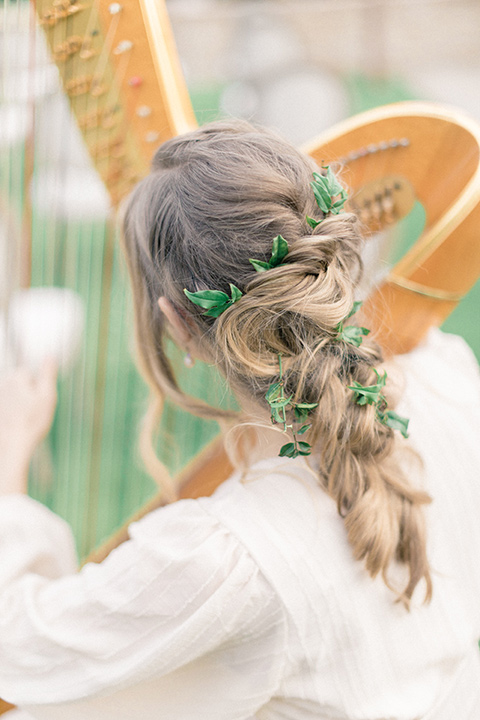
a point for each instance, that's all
(249, 604)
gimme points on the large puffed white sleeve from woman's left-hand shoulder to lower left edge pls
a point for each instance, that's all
(182, 588)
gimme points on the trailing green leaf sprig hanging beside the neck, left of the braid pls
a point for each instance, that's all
(279, 405)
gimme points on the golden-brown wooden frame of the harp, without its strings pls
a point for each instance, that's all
(119, 70)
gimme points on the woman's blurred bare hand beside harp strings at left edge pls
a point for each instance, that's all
(27, 407)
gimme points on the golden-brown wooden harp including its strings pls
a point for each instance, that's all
(118, 68)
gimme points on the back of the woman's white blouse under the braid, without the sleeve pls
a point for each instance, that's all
(367, 656)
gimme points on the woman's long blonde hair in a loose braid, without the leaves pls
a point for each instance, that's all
(215, 198)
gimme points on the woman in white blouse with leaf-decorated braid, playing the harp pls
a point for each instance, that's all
(335, 574)
